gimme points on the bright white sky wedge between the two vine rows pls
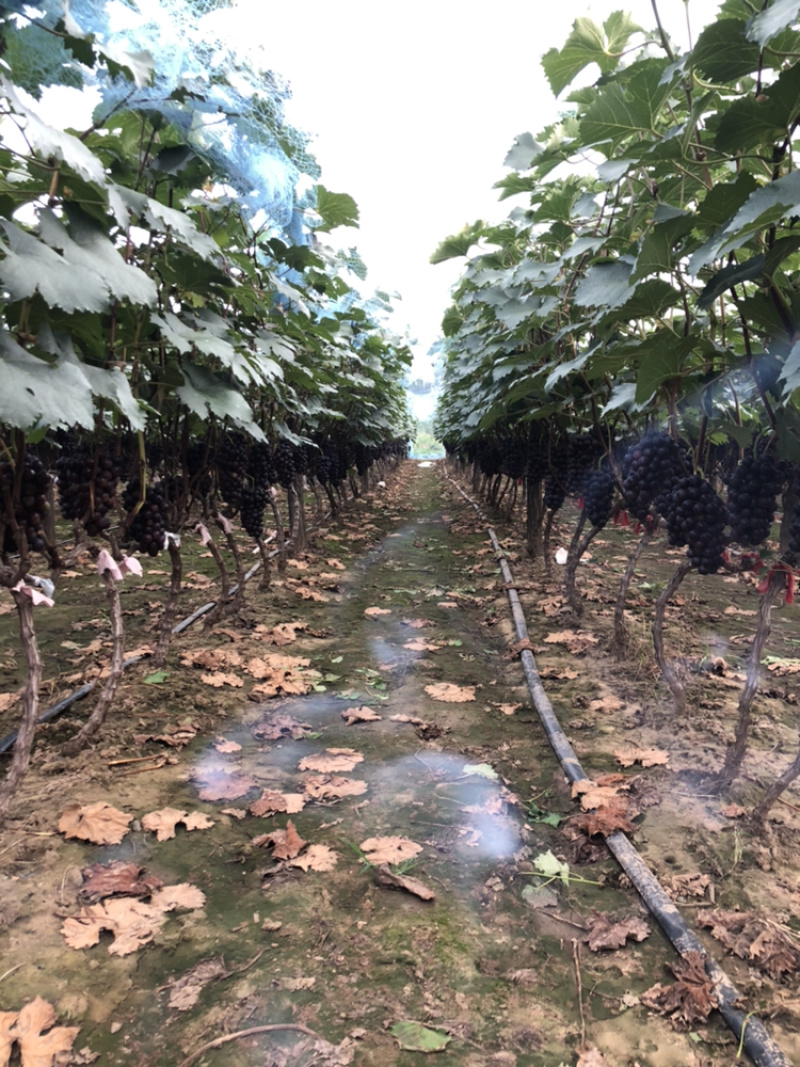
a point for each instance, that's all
(414, 107)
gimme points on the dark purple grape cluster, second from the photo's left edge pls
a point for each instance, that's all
(88, 487)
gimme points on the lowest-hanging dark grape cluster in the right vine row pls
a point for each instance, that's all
(697, 518)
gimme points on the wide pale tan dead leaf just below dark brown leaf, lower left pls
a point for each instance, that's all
(132, 922)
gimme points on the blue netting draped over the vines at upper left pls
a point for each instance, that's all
(230, 112)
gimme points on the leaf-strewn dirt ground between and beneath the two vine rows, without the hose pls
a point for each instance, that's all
(334, 823)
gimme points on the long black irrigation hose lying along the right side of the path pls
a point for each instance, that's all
(750, 1032)
